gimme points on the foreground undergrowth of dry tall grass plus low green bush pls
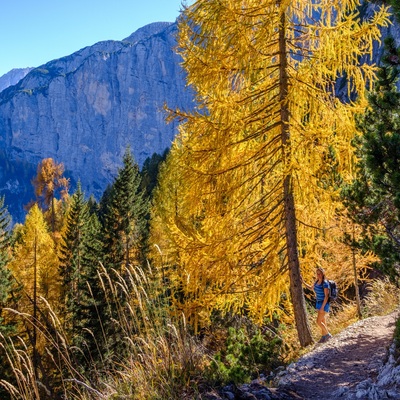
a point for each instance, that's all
(165, 360)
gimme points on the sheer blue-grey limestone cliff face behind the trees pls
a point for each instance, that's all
(84, 109)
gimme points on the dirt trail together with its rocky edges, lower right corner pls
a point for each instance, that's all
(358, 363)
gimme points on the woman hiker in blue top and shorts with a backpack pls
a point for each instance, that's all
(321, 289)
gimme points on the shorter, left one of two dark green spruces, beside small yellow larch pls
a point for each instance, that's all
(81, 296)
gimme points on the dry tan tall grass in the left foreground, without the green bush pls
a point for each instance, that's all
(163, 356)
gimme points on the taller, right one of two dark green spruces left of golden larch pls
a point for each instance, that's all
(123, 214)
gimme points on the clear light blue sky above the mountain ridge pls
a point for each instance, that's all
(33, 32)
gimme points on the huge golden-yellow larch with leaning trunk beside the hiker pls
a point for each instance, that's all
(259, 155)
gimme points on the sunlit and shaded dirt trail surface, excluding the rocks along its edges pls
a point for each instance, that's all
(352, 356)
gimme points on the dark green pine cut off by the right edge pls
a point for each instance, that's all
(373, 199)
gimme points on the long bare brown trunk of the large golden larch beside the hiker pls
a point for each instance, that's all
(296, 290)
